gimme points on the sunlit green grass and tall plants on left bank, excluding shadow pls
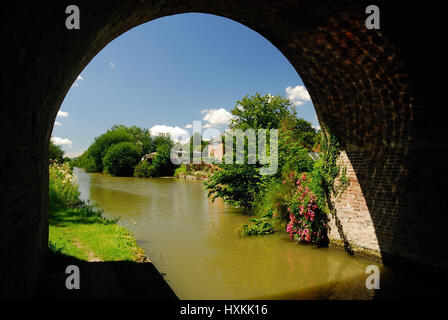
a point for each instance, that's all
(78, 229)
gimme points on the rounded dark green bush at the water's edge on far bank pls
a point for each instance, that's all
(121, 159)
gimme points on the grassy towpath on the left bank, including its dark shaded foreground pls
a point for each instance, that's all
(111, 263)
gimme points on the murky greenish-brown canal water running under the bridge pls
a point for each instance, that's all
(191, 241)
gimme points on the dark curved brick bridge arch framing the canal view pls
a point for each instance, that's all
(374, 88)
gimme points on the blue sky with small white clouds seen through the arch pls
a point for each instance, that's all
(167, 73)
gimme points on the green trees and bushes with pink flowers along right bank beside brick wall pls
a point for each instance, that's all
(300, 191)
